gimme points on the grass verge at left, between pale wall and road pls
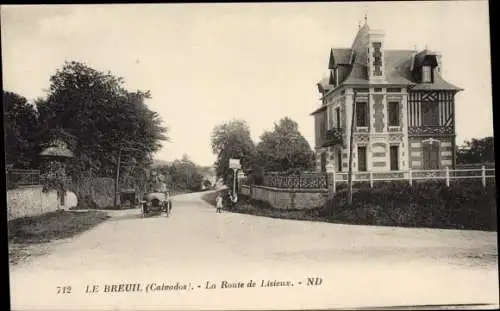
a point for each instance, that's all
(27, 234)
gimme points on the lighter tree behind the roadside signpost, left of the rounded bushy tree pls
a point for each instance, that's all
(232, 140)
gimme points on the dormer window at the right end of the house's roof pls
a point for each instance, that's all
(425, 66)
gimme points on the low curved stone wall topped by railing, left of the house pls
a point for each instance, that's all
(286, 198)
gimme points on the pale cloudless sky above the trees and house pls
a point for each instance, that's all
(206, 64)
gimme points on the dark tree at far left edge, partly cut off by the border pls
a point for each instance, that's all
(21, 134)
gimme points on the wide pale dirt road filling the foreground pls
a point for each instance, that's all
(189, 256)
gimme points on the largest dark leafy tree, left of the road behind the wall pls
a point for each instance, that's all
(109, 124)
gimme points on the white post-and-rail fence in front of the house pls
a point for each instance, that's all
(415, 175)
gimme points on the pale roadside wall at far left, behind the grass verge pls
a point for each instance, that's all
(32, 201)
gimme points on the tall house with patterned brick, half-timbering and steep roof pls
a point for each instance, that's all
(404, 109)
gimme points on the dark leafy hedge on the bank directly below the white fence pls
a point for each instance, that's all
(465, 204)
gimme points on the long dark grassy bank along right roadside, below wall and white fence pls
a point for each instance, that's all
(463, 205)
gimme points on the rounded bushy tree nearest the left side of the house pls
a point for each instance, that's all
(284, 149)
